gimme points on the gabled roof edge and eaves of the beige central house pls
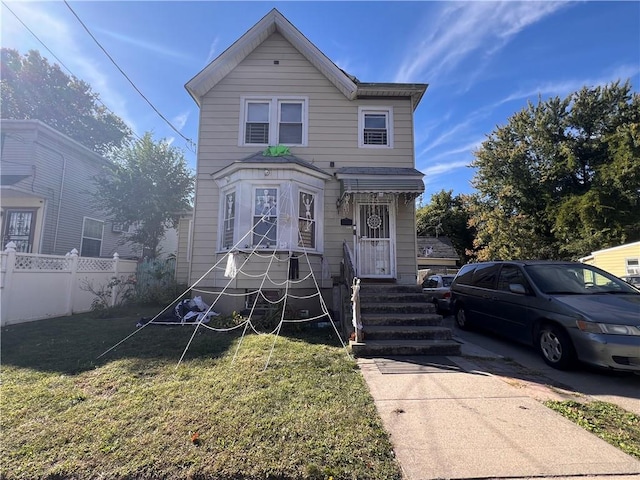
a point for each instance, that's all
(273, 22)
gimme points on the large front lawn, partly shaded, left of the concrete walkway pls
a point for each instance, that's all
(133, 413)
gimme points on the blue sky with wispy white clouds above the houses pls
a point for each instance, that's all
(482, 60)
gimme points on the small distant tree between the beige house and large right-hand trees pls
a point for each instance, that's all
(448, 216)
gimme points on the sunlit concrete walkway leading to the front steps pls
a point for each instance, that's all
(449, 419)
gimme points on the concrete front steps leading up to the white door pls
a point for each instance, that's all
(398, 320)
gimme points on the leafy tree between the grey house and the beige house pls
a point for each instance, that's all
(148, 186)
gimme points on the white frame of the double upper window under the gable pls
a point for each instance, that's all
(274, 119)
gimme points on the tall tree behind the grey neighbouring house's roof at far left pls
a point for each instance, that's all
(31, 88)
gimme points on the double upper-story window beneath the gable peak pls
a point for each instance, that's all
(274, 121)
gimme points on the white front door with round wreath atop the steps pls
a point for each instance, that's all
(375, 241)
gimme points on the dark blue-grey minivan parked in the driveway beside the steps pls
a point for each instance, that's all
(569, 311)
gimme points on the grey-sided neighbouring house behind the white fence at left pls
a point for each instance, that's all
(45, 188)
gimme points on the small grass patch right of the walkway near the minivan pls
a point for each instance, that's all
(609, 422)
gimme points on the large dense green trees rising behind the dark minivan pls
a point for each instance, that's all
(561, 178)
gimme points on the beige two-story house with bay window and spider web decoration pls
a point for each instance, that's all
(299, 160)
